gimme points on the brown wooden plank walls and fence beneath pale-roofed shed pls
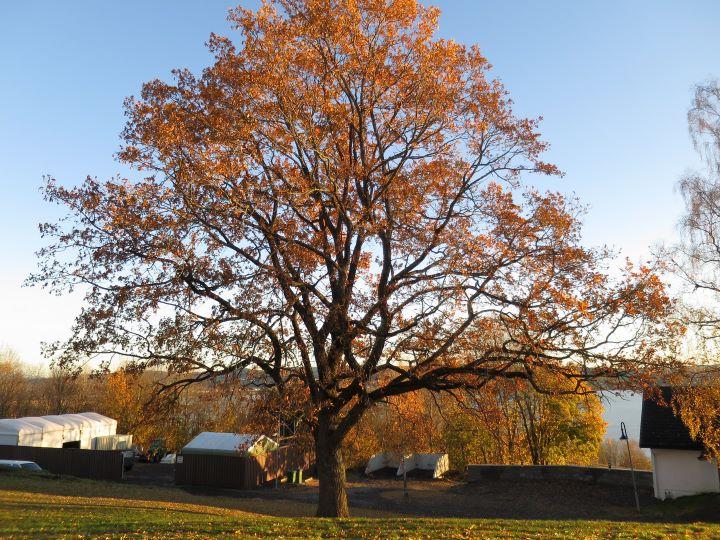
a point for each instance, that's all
(239, 472)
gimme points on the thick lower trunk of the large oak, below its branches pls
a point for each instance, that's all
(331, 471)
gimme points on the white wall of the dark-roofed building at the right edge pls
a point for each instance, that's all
(677, 473)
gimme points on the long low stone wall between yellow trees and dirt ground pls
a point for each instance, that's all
(591, 475)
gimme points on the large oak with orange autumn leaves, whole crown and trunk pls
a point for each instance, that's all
(336, 204)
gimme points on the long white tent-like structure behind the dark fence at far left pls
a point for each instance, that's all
(80, 430)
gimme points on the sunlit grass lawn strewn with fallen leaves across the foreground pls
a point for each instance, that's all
(52, 507)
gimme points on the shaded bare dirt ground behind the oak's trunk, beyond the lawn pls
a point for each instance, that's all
(503, 500)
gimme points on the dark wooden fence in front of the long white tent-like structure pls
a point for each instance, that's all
(95, 464)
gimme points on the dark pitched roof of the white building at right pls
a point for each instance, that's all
(660, 428)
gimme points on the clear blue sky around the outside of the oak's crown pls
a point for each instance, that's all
(613, 80)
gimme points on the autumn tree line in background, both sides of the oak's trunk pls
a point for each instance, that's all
(507, 422)
